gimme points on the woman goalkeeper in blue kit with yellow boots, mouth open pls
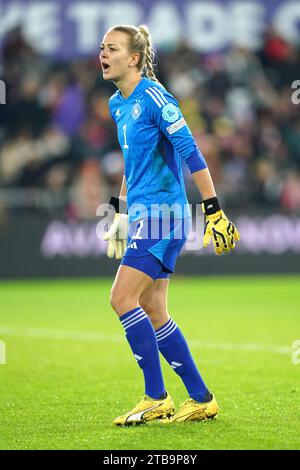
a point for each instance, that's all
(154, 137)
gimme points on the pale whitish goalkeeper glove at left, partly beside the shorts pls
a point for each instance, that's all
(117, 236)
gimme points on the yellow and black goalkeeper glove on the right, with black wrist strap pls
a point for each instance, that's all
(218, 227)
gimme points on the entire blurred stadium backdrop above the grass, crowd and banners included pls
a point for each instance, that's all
(233, 66)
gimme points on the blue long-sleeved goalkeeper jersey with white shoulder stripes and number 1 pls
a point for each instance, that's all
(154, 137)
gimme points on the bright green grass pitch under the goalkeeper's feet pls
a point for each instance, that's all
(69, 370)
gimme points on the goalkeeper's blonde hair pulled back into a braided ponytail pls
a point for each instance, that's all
(139, 40)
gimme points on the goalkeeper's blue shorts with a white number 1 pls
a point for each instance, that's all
(154, 245)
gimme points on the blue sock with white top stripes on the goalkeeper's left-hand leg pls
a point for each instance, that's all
(141, 337)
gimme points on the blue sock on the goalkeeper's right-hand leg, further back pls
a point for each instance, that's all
(174, 348)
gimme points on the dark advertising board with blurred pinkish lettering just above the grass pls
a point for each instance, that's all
(36, 247)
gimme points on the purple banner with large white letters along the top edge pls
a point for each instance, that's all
(71, 28)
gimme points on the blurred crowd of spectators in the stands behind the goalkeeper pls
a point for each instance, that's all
(56, 133)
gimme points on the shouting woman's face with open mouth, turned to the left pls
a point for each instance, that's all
(115, 58)
